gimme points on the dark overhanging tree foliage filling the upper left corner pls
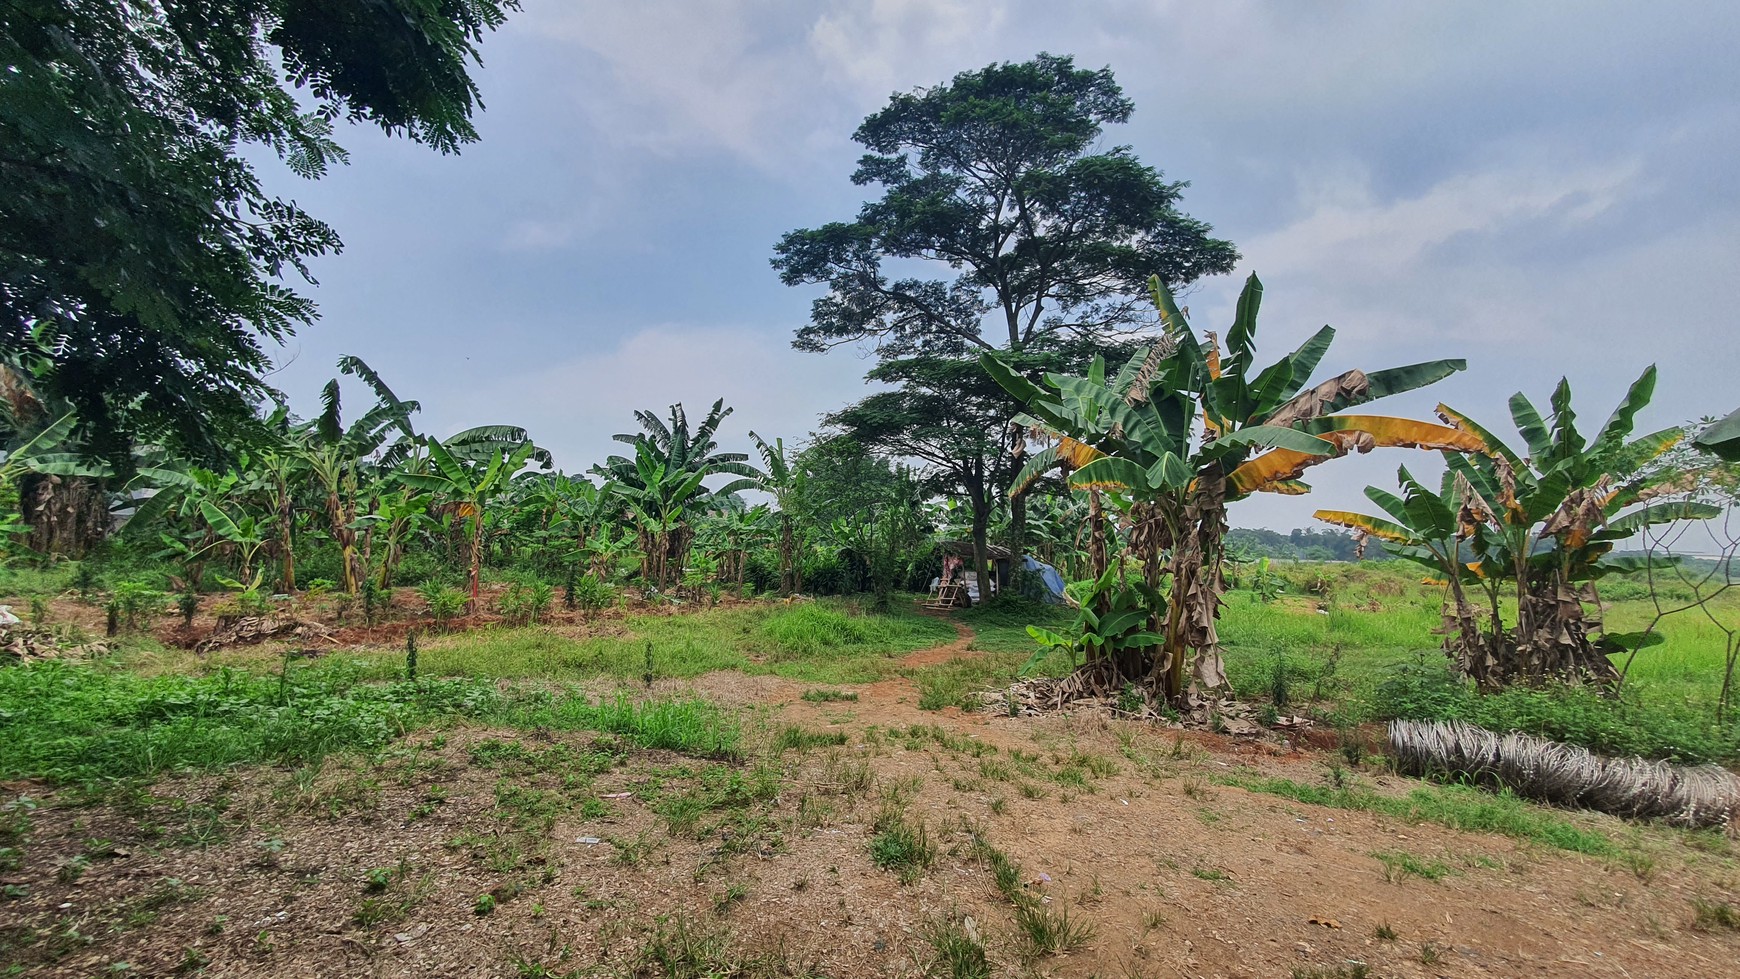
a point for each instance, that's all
(140, 250)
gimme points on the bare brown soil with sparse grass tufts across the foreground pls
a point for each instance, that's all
(495, 853)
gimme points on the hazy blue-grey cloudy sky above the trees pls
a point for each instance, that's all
(1543, 189)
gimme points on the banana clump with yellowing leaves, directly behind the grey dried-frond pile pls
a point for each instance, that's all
(1537, 529)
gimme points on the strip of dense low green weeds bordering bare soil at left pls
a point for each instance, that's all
(77, 724)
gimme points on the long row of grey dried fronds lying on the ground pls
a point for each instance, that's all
(1706, 796)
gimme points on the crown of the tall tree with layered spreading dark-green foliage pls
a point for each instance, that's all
(1040, 243)
